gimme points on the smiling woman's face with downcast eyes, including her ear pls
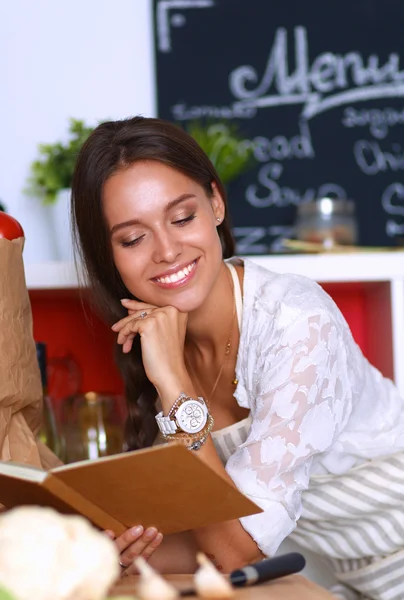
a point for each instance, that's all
(163, 234)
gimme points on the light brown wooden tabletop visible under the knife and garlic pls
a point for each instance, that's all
(294, 587)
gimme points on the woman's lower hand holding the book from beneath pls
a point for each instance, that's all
(135, 542)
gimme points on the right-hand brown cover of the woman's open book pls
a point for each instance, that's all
(166, 486)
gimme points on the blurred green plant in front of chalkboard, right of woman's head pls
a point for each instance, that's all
(229, 152)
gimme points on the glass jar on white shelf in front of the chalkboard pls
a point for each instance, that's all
(327, 221)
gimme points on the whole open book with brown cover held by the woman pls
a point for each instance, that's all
(166, 486)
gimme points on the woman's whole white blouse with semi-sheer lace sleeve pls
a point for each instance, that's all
(317, 405)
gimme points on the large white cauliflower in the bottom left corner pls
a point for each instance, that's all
(48, 556)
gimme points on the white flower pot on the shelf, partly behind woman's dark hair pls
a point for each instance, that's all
(61, 228)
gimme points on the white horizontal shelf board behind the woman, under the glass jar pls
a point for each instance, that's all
(372, 266)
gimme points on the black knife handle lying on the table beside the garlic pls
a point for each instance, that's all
(264, 570)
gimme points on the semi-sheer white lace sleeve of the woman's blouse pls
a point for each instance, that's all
(301, 403)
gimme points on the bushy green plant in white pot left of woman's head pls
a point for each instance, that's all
(53, 170)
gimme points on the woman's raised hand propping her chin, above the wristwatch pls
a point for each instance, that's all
(162, 336)
